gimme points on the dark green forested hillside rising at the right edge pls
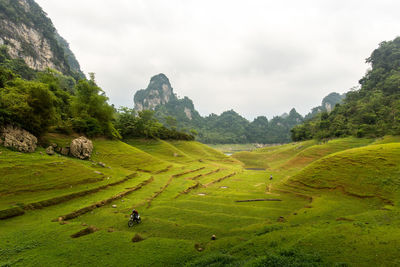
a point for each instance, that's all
(371, 111)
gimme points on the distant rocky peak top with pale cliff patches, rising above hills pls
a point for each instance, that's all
(158, 92)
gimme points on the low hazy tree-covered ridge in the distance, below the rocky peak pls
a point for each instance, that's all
(230, 127)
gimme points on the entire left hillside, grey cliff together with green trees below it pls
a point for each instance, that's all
(43, 90)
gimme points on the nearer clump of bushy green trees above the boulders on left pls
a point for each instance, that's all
(54, 101)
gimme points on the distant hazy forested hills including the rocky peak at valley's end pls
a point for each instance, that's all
(229, 126)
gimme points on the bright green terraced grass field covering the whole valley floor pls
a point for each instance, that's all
(328, 204)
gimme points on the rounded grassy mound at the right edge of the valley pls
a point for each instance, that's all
(367, 171)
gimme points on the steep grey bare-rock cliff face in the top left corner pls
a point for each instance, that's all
(29, 34)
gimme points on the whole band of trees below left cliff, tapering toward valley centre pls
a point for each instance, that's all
(43, 101)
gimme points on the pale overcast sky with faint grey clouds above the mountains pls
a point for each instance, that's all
(256, 57)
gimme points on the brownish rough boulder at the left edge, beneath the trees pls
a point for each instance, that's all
(18, 139)
